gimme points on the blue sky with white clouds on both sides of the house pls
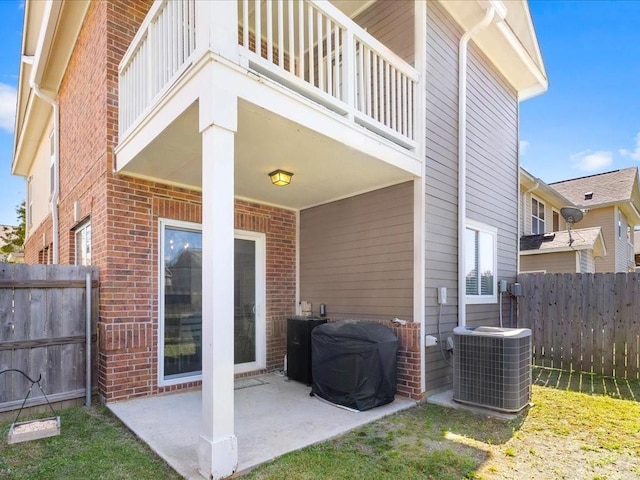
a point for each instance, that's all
(588, 122)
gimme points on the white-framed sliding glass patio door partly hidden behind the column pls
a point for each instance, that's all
(181, 290)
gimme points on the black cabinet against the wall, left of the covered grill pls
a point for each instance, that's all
(299, 347)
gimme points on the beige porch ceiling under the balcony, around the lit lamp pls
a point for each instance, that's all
(324, 169)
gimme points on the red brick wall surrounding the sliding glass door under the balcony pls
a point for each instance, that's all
(128, 328)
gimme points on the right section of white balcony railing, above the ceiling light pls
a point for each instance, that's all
(316, 49)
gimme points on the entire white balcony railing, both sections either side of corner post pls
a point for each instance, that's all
(309, 47)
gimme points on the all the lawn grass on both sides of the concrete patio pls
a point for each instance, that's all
(579, 427)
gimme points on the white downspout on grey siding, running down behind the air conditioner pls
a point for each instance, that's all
(462, 158)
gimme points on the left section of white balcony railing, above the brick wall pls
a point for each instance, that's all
(158, 54)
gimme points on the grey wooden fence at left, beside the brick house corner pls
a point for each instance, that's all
(43, 331)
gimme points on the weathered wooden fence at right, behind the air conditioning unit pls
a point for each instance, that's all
(584, 322)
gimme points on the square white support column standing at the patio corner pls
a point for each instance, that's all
(218, 448)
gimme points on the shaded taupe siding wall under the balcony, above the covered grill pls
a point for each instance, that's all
(356, 255)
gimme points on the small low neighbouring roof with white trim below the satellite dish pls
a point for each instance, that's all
(579, 239)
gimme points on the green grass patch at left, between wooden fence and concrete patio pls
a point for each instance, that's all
(92, 445)
